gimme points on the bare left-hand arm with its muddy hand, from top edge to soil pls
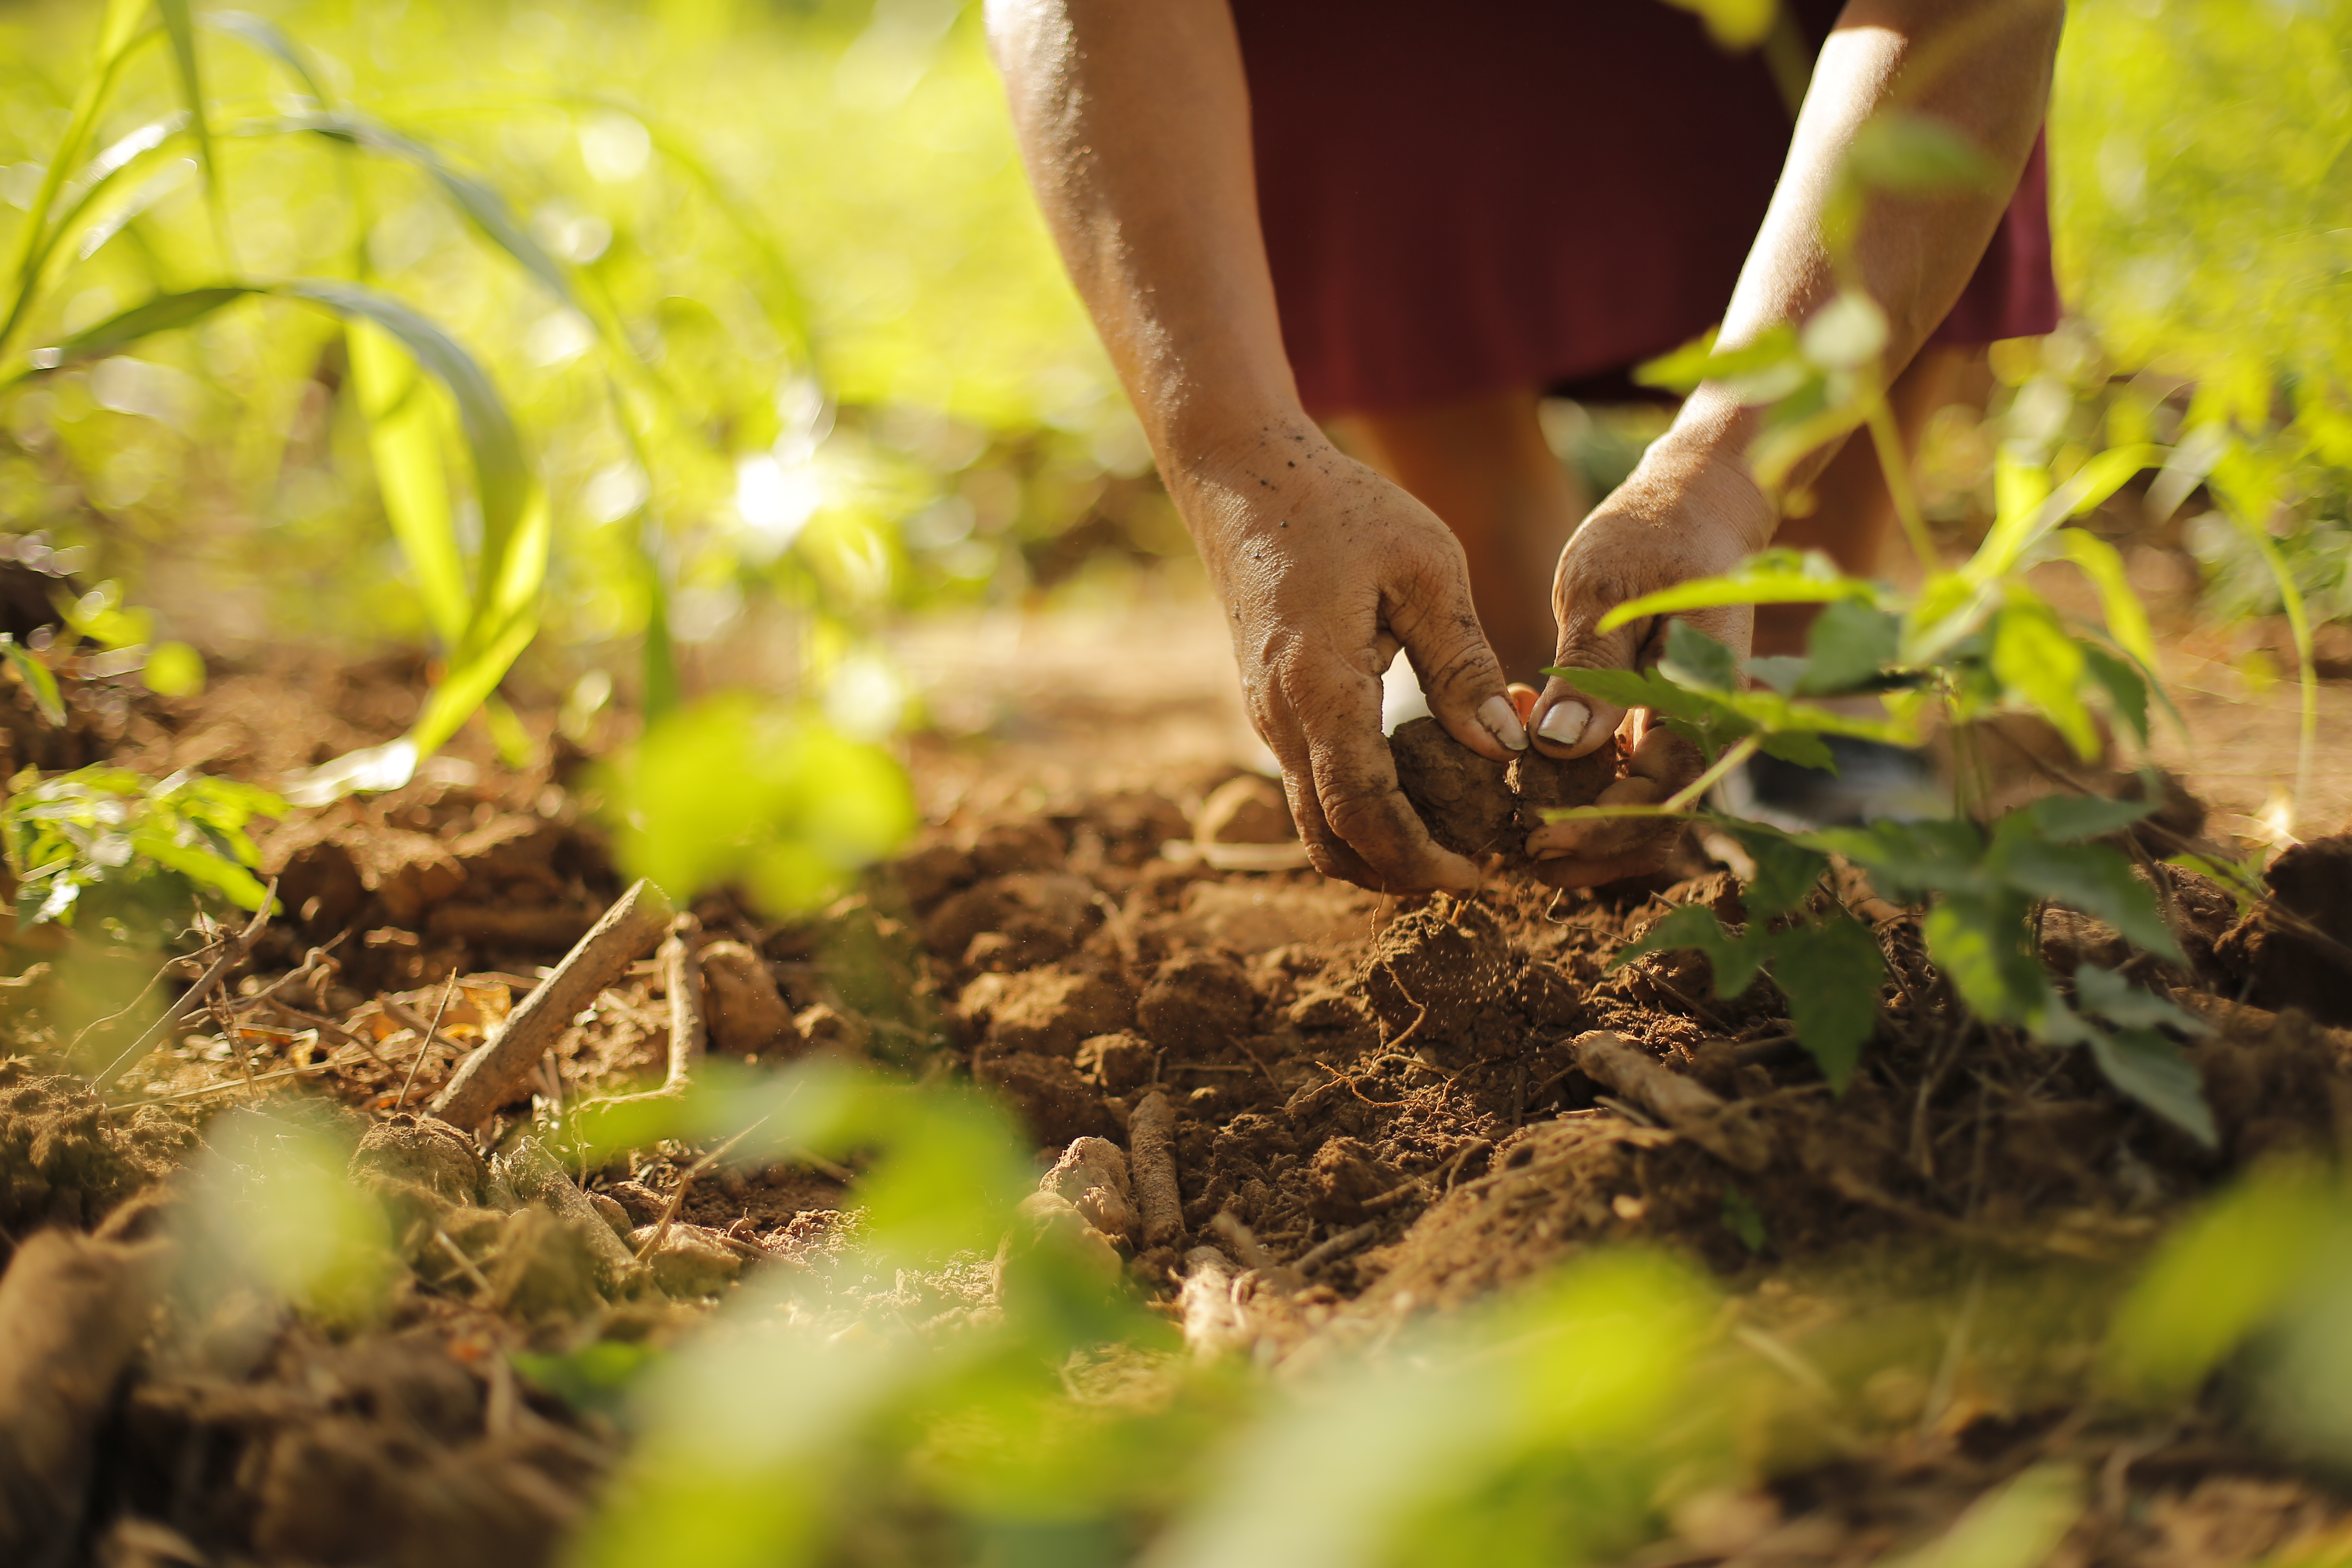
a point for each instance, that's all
(1135, 123)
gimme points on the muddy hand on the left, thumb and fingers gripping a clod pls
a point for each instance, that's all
(1328, 570)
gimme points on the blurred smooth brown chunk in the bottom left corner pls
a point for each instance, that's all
(72, 1315)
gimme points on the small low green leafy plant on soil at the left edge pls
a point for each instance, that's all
(116, 829)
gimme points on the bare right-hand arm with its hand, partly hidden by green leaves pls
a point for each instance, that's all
(1982, 67)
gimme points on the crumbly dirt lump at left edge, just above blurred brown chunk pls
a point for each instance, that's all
(65, 1160)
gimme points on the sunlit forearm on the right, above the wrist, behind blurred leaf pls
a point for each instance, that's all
(1982, 67)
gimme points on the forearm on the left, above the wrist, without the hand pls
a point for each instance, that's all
(1135, 126)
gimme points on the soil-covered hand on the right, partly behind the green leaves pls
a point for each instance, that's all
(1685, 514)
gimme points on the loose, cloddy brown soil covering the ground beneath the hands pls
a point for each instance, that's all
(1335, 1061)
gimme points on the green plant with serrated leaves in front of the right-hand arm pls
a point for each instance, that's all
(1975, 641)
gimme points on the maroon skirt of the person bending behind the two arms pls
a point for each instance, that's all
(1492, 194)
